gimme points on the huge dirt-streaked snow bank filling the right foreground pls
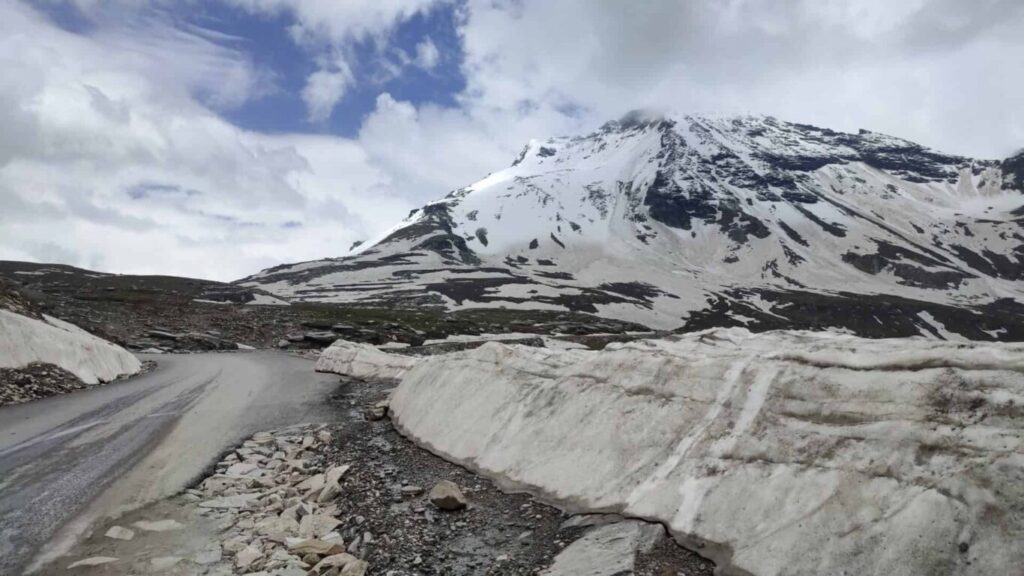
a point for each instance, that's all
(779, 454)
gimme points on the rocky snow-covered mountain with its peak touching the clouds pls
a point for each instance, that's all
(697, 222)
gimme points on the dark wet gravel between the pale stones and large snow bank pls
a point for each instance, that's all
(498, 534)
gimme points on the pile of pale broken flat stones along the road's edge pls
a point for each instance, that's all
(274, 498)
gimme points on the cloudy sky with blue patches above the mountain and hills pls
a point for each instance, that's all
(217, 138)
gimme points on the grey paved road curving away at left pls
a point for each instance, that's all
(67, 461)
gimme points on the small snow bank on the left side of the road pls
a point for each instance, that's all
(24, 341)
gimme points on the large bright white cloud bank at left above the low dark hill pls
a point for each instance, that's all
(108, 160)
